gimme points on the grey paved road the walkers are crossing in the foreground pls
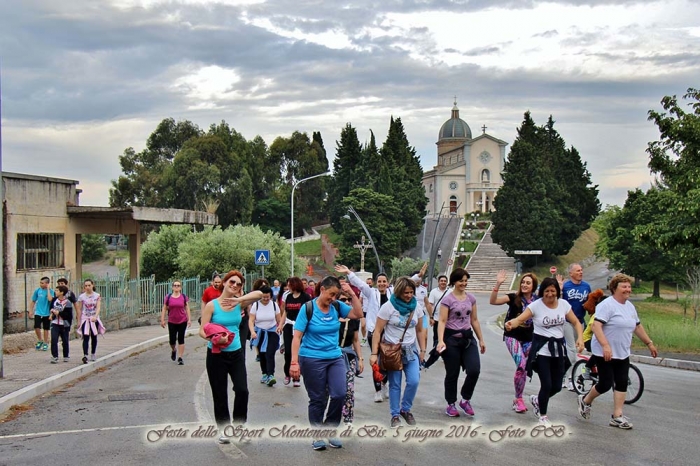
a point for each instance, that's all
(90, 422)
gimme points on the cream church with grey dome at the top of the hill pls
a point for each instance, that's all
(468, 171)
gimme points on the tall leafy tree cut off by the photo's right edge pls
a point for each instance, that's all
(675, 159)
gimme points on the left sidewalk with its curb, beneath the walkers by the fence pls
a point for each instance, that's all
(30, 373)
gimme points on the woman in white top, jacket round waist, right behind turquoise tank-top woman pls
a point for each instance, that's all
(265, 326)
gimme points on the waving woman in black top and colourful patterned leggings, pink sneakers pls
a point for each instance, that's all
(518, 340)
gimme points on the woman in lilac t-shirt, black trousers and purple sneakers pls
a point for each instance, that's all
(457, 326)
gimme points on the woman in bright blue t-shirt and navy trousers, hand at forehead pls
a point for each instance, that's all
(318, 357)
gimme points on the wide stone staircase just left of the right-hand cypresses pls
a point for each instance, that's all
(485, 263)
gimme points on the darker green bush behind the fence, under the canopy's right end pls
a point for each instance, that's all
(159, 252)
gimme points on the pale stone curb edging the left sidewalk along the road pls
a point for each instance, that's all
(44, 386)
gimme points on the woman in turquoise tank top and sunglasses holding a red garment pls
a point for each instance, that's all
(230, 362)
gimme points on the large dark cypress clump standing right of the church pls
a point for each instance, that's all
(546, 201)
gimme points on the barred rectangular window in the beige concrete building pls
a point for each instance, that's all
(39, 251)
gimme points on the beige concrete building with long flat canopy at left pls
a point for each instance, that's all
(43, 223)
